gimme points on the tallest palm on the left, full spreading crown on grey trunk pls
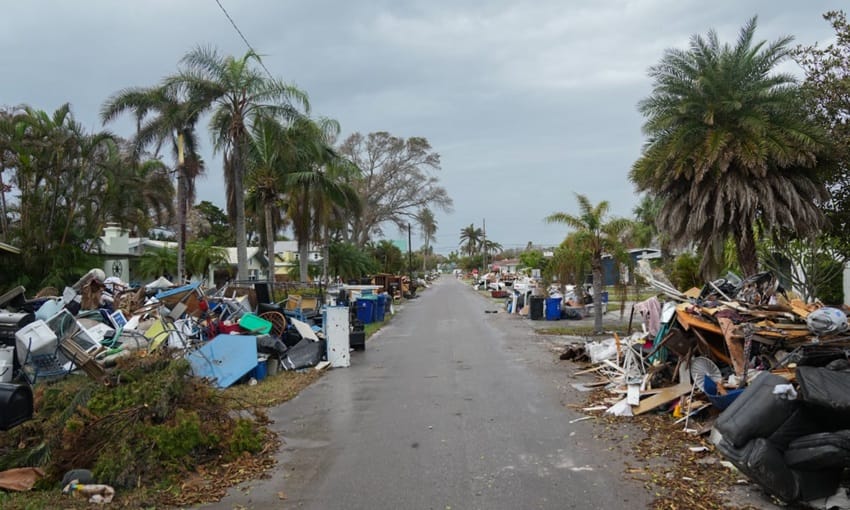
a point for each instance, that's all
(238, 93)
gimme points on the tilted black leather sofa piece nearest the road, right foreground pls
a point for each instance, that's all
(756, 413)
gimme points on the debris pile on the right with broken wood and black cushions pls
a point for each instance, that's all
(765, 373)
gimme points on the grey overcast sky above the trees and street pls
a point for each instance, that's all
(526, 102)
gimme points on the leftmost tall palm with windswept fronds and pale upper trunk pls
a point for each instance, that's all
(163, 115)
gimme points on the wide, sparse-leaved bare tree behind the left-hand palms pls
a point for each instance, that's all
(397, 182)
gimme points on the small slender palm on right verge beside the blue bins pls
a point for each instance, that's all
(597, 235)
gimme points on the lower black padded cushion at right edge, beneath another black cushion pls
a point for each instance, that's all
(817, 452)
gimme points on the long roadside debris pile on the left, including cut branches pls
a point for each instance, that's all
(150, 360)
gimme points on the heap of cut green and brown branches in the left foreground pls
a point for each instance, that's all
(157, 423)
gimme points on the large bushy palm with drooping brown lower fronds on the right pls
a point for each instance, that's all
(730, 148)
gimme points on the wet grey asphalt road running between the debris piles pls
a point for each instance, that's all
(448, 408)
